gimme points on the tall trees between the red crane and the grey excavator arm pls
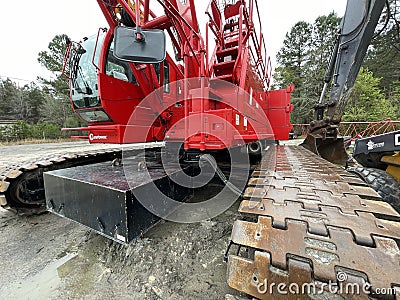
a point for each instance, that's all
(303, 60)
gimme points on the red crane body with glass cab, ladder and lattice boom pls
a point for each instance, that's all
(209, 100)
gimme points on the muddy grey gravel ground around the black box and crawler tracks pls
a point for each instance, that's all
(47, 257)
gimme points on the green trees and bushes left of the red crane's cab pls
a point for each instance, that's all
(42, 110)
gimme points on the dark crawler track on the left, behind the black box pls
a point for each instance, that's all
(21, 185)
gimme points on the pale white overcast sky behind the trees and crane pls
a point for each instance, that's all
(26, 29)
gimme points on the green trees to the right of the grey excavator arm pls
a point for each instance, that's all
(383, 63)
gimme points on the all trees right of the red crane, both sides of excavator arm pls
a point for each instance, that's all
(305, 56)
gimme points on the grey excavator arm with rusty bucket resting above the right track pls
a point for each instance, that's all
(353, 39)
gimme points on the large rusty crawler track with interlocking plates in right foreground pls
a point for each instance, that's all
(312, 230)
